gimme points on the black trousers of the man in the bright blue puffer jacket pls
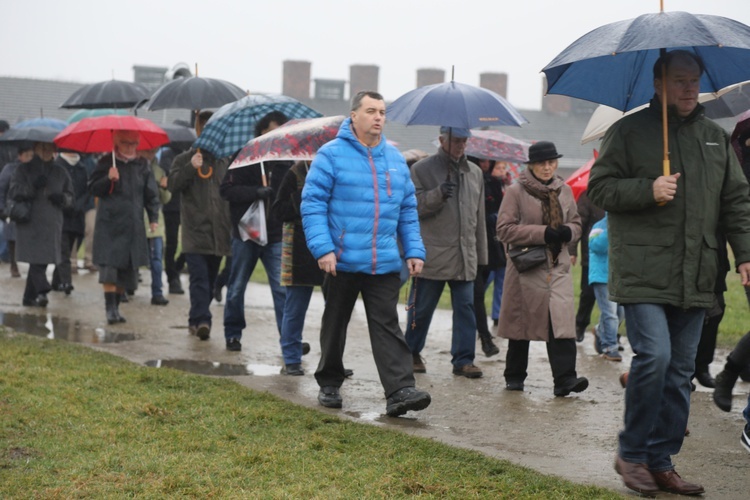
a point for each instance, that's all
(389, 349)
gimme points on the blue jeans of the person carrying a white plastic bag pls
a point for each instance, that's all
(245, 255)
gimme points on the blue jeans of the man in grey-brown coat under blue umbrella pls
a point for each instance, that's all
(427, 294)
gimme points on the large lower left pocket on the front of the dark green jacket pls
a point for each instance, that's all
(647, 259)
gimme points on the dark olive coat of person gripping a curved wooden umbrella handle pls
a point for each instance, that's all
(206, 226)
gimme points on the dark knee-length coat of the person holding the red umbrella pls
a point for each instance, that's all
(120, 238)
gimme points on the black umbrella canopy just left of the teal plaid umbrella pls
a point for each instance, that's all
(194, 92)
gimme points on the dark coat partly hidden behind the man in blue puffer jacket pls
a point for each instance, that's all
(298, 266)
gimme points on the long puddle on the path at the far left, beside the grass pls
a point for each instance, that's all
(51, 327)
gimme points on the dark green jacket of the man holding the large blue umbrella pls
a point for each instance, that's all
(669, 254)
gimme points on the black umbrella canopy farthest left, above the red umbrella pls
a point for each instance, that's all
(109, 94)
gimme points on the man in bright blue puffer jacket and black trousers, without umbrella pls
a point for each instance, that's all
(358, 202)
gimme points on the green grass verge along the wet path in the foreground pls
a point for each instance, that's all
(75, 422)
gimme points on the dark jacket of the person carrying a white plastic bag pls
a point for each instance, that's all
(240, 187)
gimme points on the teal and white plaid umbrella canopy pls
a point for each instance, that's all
(232, 125)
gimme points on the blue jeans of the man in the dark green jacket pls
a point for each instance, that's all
(657, 398)
